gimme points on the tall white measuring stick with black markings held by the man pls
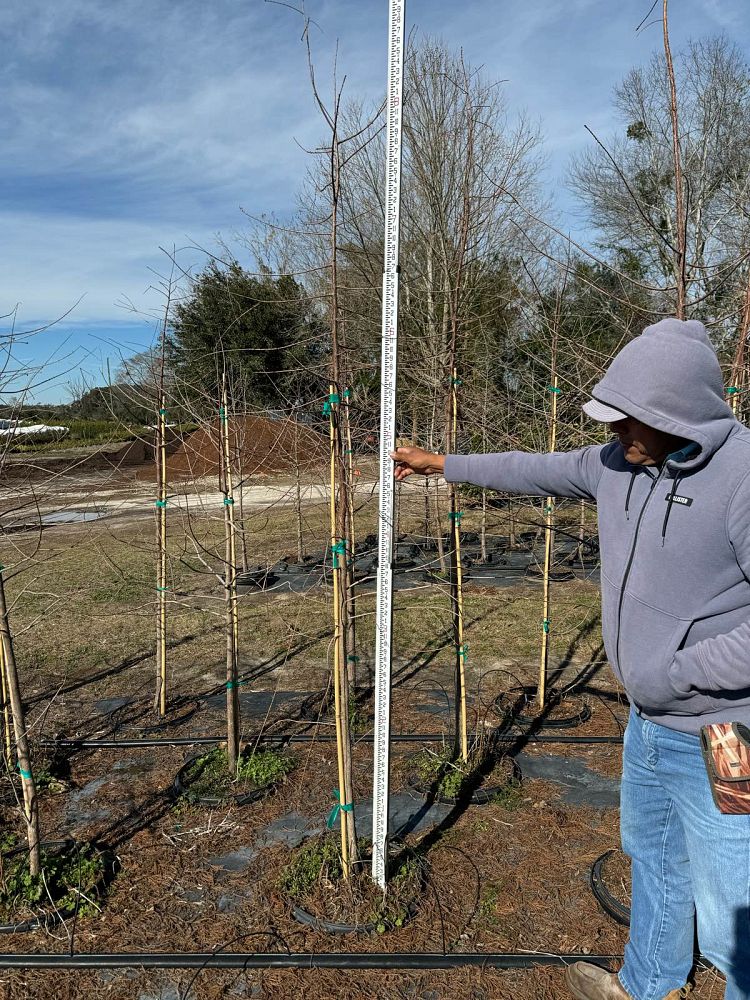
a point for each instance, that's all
(384, 607)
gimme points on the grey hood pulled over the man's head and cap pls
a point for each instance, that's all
(669, 378)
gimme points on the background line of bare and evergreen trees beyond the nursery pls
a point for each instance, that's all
(484, 276)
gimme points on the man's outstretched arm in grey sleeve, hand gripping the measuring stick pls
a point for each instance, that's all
(573, 474)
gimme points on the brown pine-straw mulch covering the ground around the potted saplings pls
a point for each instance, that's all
(501, 879)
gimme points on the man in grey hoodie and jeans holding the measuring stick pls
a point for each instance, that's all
(673, 497)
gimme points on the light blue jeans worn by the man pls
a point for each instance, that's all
(687, 859)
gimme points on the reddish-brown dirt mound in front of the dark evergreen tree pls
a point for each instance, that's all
(257, 444)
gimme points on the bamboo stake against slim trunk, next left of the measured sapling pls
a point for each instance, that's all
(230, 589)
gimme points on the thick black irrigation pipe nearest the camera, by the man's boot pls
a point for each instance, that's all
(298, 960)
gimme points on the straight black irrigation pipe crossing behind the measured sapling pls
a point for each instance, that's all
(128, 744)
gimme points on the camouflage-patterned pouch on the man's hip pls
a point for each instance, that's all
(726, 751)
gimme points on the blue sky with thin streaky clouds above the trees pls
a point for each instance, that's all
(131, 125)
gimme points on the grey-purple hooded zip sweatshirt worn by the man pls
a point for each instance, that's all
(675, 541)
